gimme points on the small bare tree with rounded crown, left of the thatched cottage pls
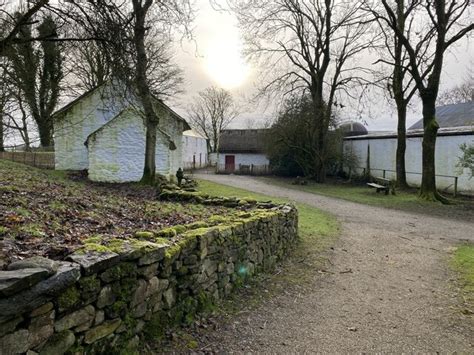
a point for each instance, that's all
(212, 110)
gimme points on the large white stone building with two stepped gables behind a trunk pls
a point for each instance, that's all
(104, 133)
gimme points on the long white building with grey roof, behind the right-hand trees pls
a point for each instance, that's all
(457, 127)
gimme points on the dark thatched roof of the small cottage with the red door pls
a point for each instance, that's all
(242, 141)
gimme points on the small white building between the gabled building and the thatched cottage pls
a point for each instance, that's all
(195, 153)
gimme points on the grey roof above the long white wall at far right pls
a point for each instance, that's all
(456, 115)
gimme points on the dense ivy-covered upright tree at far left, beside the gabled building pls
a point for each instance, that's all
(37, 72)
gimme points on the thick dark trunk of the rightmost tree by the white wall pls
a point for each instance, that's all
(428, 181)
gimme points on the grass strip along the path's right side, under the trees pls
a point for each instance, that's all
(402, 200)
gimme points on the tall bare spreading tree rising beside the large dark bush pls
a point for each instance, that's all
(307, 45)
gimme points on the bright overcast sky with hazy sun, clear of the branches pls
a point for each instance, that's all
(219, 62)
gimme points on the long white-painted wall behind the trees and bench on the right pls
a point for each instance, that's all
(383, 155)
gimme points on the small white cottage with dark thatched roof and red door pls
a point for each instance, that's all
(243, 151)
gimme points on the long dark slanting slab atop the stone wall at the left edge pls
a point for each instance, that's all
(27, 300)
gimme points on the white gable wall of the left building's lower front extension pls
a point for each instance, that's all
(117, 151)
